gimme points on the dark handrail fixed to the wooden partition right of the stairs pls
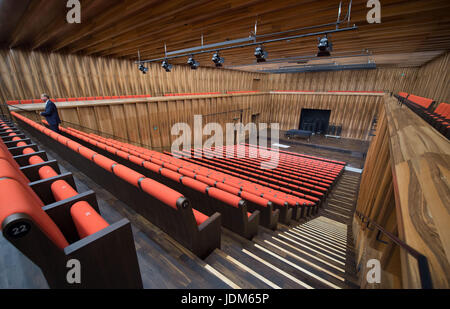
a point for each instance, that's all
(422, 261)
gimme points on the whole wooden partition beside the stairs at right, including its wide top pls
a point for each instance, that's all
(405, 188)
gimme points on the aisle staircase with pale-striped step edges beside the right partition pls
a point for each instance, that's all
(317, 253)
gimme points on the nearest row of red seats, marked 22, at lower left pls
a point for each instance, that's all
(43, 232)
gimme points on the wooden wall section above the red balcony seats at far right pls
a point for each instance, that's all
(433, 79)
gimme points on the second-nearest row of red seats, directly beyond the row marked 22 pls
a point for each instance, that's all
(172, 209)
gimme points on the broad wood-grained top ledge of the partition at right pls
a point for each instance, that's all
(420, 160)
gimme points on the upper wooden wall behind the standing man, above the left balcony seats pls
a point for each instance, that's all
(25, 75)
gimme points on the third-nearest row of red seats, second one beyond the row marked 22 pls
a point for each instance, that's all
(235, 215)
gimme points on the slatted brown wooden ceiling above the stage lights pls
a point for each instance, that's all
(414, 31)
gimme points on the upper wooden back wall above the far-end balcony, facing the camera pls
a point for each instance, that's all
(382, 79)
